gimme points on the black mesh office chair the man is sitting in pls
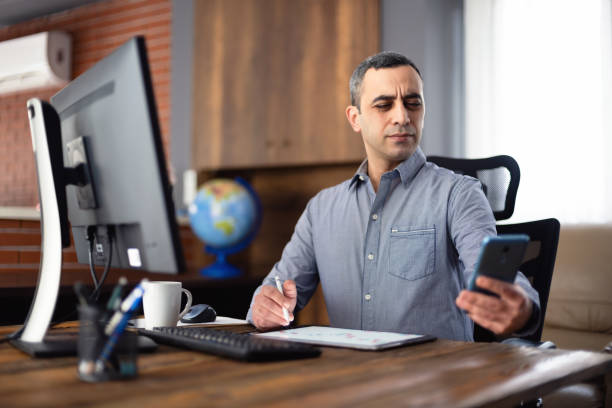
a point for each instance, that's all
(500, 176)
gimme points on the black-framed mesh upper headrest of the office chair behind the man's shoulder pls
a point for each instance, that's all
(499, 175)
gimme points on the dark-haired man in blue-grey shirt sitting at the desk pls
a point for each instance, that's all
(394, 246)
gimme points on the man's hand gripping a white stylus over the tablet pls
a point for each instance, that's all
(268, 306)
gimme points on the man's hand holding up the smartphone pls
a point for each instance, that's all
(504, 315)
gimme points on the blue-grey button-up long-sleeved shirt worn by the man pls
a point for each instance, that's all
(394, 260)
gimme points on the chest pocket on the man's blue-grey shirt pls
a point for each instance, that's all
(412, 252)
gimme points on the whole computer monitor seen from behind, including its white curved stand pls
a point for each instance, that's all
(101, 165)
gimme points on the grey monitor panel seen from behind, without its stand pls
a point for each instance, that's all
(111, 108)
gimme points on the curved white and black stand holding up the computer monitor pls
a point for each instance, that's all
(52, 176)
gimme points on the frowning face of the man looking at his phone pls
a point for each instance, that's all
(392, 112)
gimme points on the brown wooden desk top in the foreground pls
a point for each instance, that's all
(442, 374)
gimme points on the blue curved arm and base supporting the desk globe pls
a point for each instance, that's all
(221, 269)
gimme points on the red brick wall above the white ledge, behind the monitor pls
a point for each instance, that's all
(96, 30)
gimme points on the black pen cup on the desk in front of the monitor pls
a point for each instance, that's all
(121, 362)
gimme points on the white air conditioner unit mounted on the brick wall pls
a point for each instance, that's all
(35, 61)
